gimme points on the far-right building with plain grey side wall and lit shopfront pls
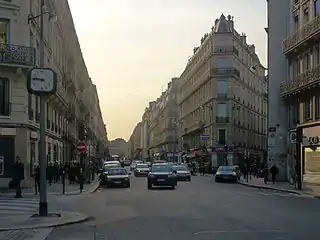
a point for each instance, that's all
(298, 69)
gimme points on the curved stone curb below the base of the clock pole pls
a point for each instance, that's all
(82, 219)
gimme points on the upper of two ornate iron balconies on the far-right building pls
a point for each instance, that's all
(305, 36)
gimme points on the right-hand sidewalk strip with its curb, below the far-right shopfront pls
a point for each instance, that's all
(280, 186)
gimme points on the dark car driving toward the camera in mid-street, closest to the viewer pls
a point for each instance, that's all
(162, 174)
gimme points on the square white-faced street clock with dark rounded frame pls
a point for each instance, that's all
(42, 80)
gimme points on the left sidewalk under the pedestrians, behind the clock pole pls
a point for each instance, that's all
(56, 189)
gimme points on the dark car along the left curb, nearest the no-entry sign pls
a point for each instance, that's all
(116, 177)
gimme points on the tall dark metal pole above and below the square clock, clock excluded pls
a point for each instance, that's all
(43, 204)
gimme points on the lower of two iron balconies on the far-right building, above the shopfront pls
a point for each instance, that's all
(300, 83)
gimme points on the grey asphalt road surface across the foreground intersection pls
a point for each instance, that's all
(199, 210)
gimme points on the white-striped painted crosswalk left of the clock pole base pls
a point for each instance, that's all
(12, 206)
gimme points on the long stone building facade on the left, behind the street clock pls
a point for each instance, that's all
(70, 113)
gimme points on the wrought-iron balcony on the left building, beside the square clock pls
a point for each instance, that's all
(18, 55)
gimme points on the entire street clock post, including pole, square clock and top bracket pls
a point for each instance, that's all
(42, 81)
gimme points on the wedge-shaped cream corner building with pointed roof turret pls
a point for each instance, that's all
(222, 97)
